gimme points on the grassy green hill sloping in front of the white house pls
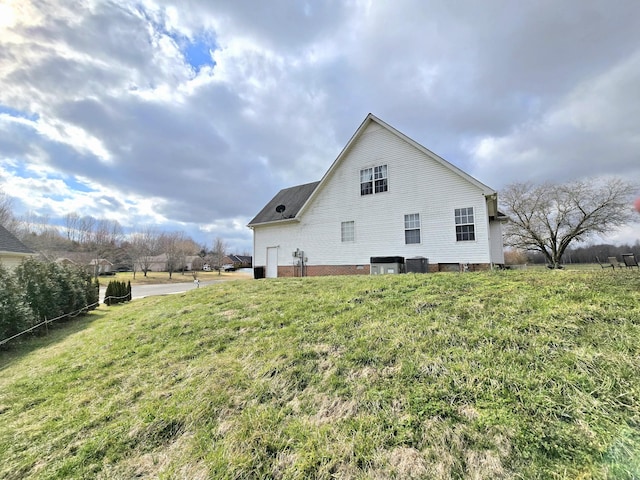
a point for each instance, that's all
(478, 375)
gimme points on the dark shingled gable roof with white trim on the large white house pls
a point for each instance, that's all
(302, 196)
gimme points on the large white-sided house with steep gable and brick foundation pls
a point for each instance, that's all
(384, 196)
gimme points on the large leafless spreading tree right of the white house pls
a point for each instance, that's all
(547, 218)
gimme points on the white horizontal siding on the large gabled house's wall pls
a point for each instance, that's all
(416, 184)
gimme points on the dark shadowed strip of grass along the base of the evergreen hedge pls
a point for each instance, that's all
(45, 336)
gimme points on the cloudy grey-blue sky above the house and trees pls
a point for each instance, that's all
(191, 115)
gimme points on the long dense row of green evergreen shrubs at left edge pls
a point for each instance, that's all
(38, 290)
